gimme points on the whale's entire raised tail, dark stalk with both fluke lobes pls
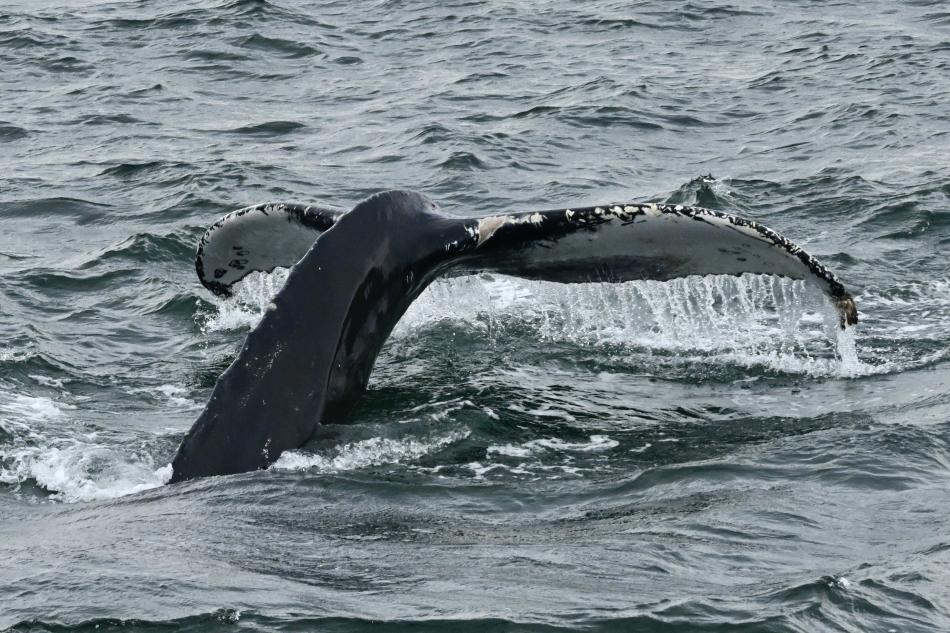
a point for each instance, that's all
(354, 275)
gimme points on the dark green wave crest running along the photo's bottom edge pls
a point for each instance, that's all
(834, 603)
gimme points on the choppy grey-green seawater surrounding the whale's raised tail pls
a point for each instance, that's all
(703, 455)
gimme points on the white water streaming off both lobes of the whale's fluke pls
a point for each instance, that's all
(750, 321)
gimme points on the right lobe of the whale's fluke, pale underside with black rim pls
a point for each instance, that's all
(625, 242)
